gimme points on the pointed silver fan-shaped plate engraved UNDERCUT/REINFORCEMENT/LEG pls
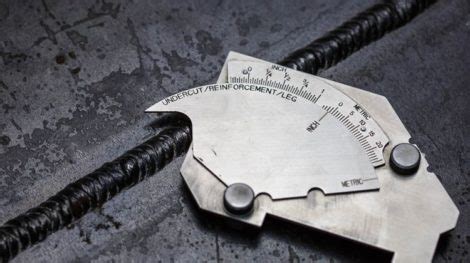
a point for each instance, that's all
(283, 151)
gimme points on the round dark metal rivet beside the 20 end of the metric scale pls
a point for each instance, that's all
(405, 159)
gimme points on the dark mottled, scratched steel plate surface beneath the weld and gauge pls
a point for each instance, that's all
(75, 77)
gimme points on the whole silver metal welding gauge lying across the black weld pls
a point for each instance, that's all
(272, 140)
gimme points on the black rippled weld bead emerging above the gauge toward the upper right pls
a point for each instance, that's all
(354, 34)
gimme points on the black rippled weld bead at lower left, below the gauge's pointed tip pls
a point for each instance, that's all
(92, 191)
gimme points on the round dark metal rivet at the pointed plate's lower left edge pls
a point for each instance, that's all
(239, 199)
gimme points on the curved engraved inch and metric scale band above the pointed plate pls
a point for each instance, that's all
(321, 92)
